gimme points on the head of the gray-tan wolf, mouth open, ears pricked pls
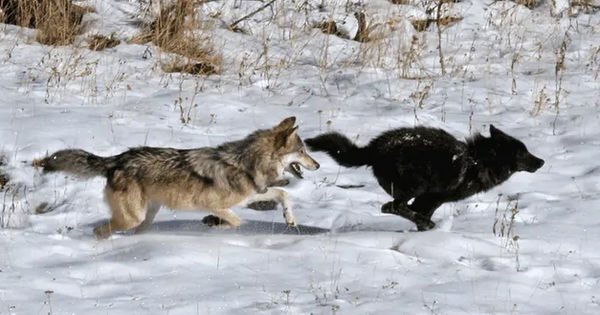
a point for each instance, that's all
(289, 148)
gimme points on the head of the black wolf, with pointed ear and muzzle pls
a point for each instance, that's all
(514, 153)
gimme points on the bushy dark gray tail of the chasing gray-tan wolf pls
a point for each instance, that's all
(74, 161)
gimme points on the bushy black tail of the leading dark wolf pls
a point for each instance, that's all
(340, 148)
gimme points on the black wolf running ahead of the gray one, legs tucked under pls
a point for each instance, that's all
(430, 165)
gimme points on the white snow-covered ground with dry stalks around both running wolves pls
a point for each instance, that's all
(529, 246)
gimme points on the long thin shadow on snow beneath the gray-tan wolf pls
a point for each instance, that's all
(248, 227)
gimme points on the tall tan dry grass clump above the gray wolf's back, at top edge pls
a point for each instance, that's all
(175, 30)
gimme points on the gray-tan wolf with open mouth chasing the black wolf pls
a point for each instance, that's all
(142, 179)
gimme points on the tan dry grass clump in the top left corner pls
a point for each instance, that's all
(58, 21)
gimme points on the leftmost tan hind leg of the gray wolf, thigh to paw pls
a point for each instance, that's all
(127, 209)
